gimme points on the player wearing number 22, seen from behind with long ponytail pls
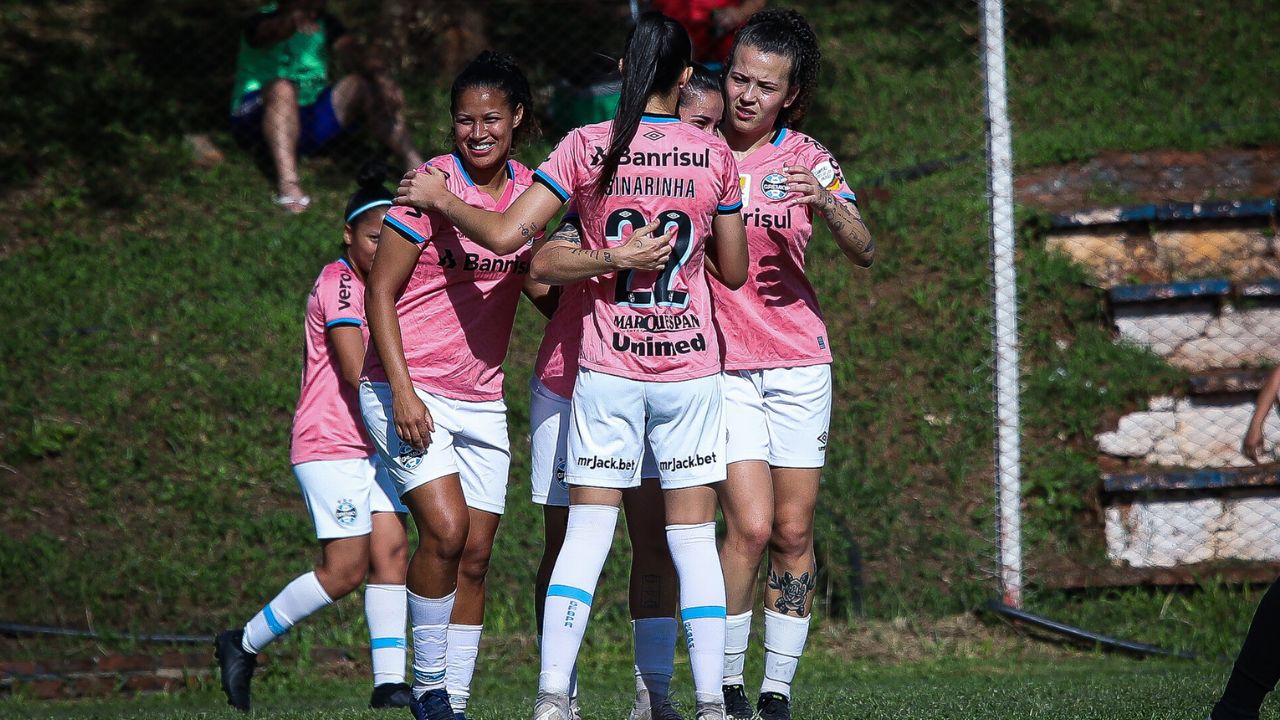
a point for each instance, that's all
(650, 361)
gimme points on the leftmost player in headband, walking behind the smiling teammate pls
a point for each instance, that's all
(359, 521)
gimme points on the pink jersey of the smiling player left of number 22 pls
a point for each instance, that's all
(458, 308)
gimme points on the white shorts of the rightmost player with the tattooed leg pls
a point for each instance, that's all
(780, 416)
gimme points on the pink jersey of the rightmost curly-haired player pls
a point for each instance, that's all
(774, 321)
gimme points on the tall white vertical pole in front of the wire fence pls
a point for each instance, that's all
(1000, 170)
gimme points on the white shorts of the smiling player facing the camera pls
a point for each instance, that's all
(470, 440)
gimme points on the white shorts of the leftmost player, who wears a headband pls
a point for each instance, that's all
(342, 495)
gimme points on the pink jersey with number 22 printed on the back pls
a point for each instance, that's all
(648, 326)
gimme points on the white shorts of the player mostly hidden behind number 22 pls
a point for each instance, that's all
(548, 440)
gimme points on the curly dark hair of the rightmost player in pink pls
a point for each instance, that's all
(788, 34)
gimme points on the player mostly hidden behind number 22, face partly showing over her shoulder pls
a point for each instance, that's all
(653, 576)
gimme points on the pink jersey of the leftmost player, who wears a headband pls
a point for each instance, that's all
(327, 423)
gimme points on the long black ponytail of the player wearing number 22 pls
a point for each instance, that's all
(659, 52)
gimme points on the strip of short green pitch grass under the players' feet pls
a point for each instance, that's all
(1076, 689)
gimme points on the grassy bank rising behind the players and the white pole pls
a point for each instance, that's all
(154, 331)
